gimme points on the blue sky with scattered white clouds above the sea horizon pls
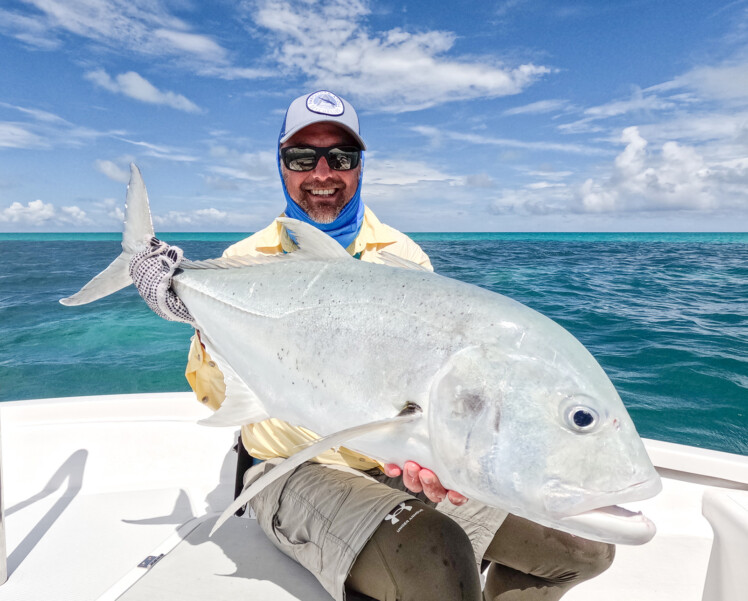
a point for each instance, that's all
(513, 115)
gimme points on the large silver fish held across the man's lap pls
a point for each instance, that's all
(398, 363)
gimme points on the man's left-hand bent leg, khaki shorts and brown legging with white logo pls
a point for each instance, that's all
(351, 531)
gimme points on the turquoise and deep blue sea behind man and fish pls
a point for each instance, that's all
(666, 315)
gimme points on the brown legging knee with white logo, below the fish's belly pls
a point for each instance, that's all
(416, 554)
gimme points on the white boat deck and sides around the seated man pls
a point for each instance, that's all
(94, 485)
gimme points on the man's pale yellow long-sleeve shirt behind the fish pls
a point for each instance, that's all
(273, 437)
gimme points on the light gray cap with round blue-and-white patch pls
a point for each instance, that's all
(320, 107)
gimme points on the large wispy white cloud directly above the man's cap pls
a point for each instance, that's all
(393, 70)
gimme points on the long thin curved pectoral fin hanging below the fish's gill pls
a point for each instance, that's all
(410, 413)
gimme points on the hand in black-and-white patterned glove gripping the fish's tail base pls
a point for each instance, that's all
(151, 271)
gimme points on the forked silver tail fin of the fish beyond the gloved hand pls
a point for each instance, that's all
(138, 231)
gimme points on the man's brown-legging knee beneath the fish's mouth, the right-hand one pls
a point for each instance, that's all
(532, 562)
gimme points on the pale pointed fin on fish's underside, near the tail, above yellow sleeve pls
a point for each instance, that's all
(241, 405)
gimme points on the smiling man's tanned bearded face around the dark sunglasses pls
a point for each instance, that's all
(321, 193)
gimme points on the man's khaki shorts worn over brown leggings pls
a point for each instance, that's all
(322, 516)
